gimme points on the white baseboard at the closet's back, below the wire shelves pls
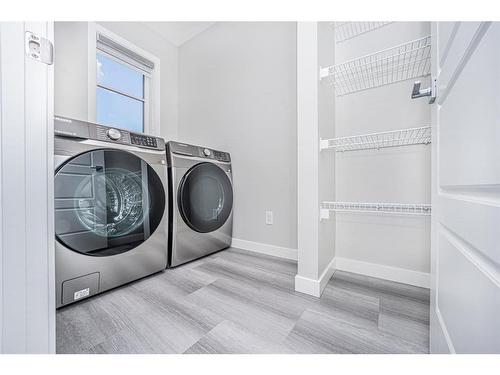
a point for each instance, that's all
(380, 271)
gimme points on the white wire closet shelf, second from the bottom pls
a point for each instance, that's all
(394, 138)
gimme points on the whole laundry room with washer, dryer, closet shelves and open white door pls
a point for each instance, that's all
(257, 187)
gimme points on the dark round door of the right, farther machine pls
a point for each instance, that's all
(205, 197)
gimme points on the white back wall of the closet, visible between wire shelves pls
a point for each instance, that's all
(390, 175)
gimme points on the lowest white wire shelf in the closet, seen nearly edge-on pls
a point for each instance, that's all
(379, 208)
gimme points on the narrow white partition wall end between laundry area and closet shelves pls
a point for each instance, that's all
(315, 119)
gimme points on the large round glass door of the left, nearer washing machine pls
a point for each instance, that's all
(107, 202)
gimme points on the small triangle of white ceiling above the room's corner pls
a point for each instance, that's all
(178, 32)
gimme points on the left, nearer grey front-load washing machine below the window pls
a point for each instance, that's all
(111, 208)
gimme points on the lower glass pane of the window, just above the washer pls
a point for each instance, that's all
(118, 110)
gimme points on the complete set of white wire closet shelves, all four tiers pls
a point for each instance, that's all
(405, 61)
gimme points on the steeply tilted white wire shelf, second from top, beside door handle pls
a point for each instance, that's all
(406, 61)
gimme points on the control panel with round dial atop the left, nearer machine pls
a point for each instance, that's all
(66, 127)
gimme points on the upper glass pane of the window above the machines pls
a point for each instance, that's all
(119, 76)
